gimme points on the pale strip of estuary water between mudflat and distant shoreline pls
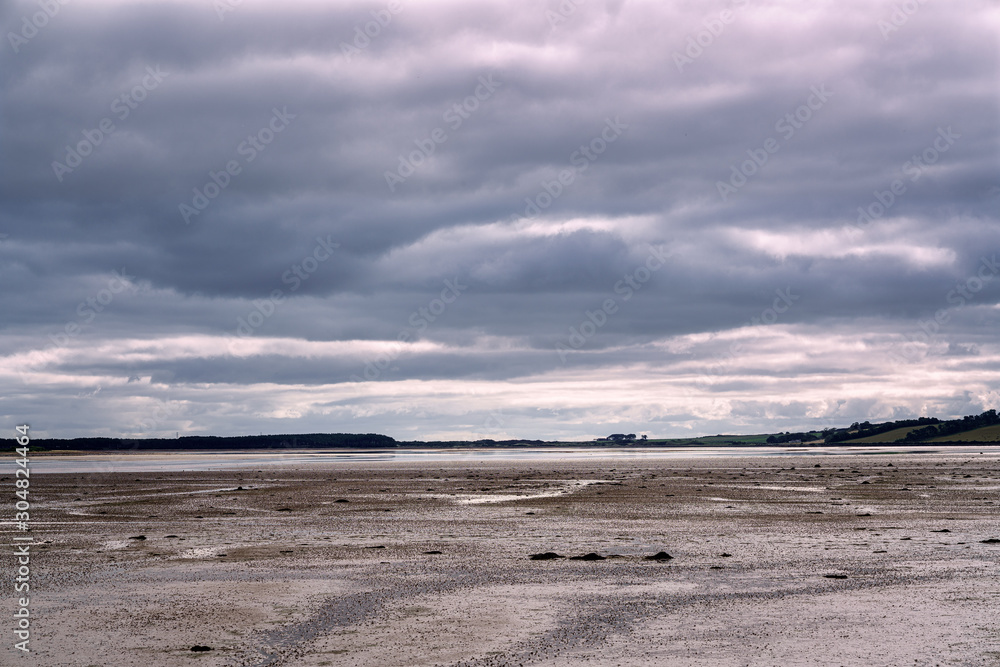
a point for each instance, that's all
(234, 460)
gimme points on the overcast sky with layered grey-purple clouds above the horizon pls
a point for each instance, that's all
(520, 219)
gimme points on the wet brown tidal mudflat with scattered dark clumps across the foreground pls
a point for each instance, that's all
(833, 560)
